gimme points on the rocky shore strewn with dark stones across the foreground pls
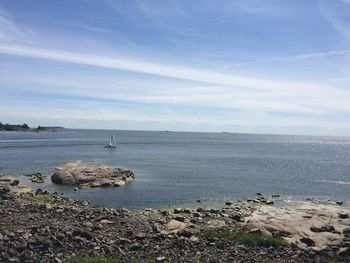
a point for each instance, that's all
(48, 227)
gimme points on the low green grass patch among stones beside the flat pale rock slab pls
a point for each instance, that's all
(250, 239)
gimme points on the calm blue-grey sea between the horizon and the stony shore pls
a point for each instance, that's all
(174, 168)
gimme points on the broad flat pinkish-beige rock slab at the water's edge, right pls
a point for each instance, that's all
(311, 225)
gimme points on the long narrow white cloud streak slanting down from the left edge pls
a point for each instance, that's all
(156, 69)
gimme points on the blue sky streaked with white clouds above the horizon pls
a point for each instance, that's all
(247, 66)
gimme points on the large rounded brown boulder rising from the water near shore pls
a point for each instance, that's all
(91, 175)
